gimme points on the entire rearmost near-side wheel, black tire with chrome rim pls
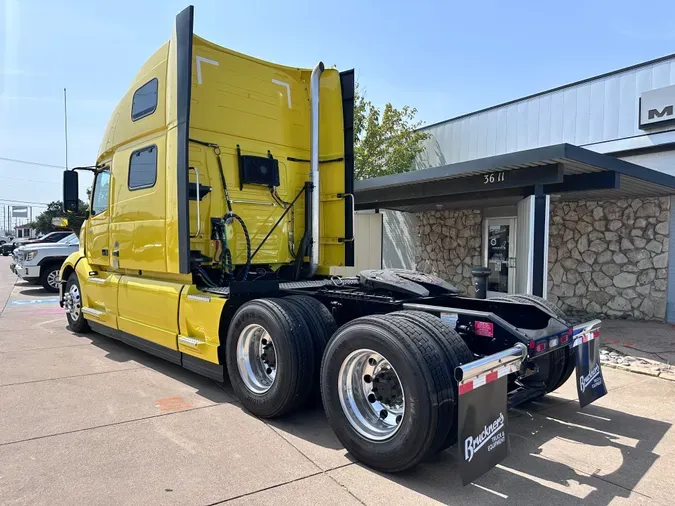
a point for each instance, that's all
(388, 389)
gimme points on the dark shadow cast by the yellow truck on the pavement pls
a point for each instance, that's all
(559, 455)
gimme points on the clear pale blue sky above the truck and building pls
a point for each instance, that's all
(444, 58)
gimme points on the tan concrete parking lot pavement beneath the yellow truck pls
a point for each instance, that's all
(88, 420)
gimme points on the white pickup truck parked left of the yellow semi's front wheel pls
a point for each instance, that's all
(41, 262)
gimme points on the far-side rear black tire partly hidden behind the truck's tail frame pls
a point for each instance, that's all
(556, 367)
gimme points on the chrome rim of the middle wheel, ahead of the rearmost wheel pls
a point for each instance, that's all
(256, 358)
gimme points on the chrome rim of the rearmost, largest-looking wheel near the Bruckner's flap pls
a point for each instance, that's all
(371, 395)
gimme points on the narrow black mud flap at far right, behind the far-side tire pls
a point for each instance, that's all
(590, 383)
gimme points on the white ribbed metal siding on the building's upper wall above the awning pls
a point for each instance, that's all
(596, 111)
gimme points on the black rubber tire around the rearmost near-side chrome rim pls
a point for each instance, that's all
(421, 367)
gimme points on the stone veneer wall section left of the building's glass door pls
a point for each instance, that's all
(449, 244)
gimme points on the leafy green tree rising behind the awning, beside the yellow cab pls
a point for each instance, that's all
(386, 141)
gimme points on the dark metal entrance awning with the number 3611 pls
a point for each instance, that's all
(566, 170)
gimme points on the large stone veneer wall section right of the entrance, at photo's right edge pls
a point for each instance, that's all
(610, 258)
